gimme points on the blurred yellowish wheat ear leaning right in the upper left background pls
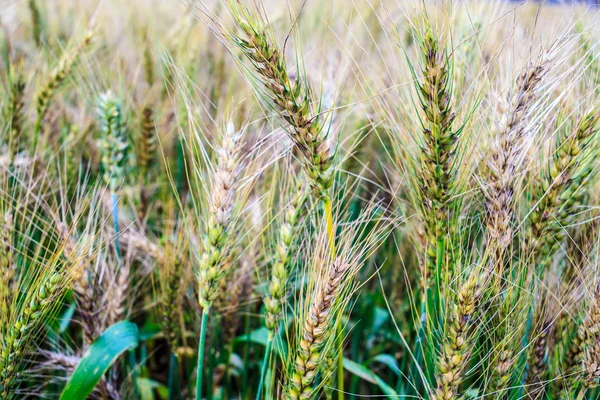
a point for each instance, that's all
(57, 77)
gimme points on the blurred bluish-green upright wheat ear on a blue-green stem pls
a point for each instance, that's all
(113, 143)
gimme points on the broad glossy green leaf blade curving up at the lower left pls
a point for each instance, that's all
(117, 339)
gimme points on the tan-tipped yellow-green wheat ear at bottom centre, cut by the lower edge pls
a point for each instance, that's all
(317, 330)
